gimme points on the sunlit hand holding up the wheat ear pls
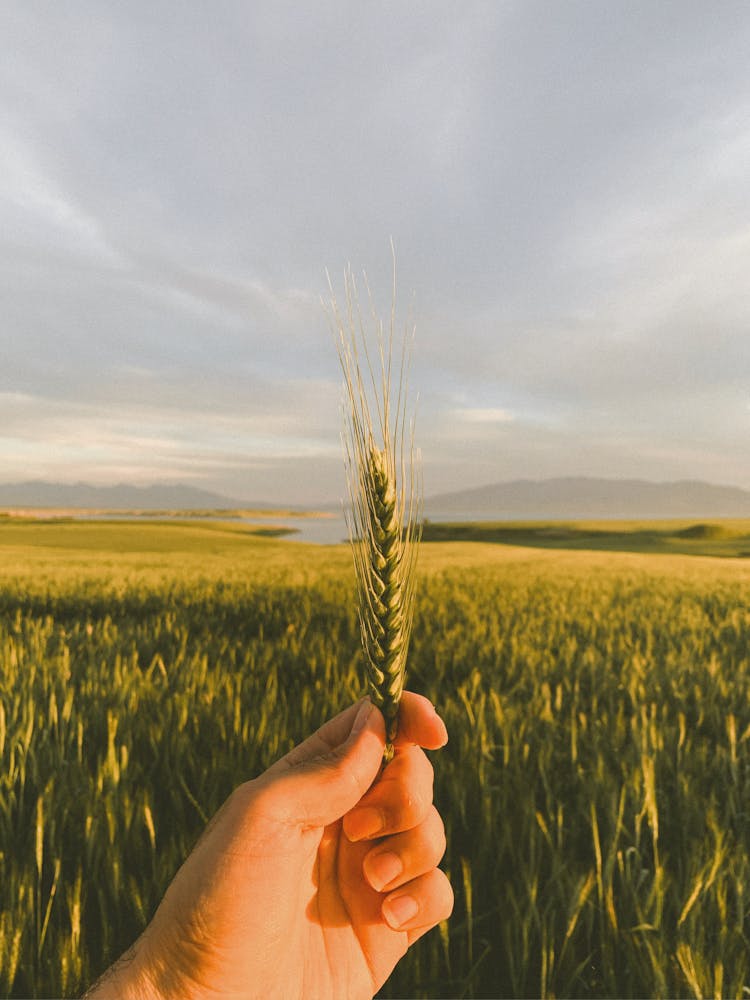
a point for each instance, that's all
(311, 881)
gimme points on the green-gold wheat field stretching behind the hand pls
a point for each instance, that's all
(595, 791)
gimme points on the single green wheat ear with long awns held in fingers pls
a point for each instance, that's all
(385, 499)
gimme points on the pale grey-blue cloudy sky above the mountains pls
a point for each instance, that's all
(566, 184)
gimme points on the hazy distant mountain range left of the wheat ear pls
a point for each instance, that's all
(120, 497)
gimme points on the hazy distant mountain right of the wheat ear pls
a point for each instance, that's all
(591, 499)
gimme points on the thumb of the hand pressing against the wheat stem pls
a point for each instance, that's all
(324, 777)
